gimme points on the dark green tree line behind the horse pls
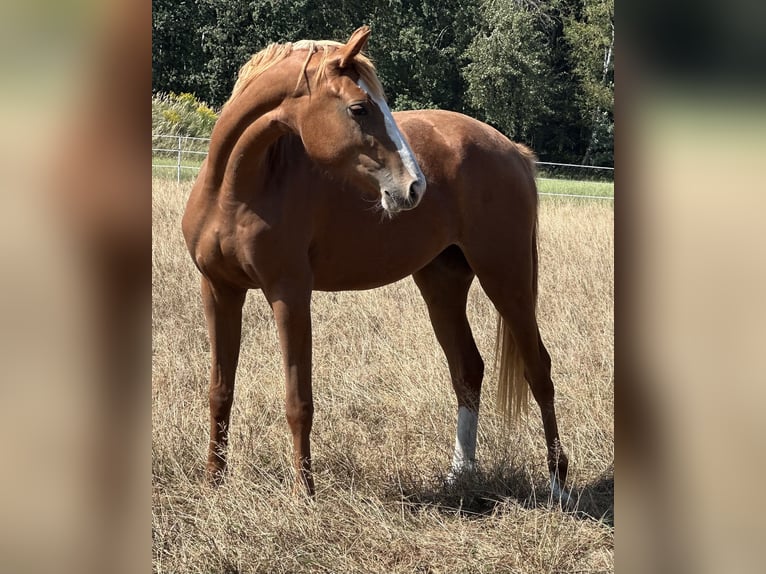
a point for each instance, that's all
(542, 72)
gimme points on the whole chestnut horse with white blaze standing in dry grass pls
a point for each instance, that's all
(283, 204)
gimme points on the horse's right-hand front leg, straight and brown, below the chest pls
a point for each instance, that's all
(292, 313)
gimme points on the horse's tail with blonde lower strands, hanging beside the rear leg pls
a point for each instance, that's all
(512, 386)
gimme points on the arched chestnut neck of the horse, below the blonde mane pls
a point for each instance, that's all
(247, 128)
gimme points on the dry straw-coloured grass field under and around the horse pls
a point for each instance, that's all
(384, 426)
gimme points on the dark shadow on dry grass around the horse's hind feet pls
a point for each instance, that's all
(487, 491)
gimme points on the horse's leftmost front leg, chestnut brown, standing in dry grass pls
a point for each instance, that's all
(223, 312)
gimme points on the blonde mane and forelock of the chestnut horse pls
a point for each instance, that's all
(275, 53)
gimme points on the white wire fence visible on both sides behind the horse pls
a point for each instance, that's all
(184, 155)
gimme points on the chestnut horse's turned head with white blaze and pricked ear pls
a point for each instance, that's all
(346, 125)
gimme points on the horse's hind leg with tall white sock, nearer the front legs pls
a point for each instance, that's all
(444, 284)
